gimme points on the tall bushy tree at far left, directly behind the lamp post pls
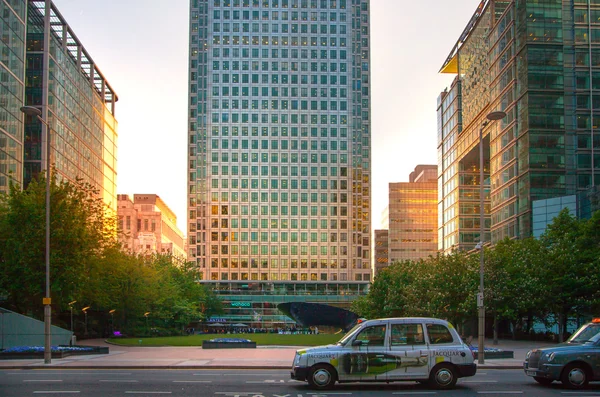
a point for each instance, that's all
(79, 228)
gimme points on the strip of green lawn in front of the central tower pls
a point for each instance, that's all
(260, 339)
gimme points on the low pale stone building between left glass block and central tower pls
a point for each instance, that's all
(147, 225)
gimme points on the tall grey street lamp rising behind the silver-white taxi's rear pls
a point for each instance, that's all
(493, 116)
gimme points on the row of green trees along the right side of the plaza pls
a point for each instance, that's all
(525, 280)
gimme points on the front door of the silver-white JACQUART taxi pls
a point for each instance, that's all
(366, 357)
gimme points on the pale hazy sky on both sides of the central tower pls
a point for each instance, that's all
(141, 47)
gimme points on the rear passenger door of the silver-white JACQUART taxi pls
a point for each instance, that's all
(408, 352)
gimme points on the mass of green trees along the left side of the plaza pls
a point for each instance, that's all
(87, 264)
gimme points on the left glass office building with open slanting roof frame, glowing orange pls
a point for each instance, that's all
(78, 103)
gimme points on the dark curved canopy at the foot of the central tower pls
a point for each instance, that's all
(315, 314)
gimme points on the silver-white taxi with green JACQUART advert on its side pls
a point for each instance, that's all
(426, 350)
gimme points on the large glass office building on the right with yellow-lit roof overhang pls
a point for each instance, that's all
(538, 63)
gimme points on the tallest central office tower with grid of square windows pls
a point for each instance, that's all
(279, 140)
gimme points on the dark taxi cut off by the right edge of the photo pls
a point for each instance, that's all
(575, 363)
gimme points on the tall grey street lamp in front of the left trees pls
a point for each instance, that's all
(37, 113)
